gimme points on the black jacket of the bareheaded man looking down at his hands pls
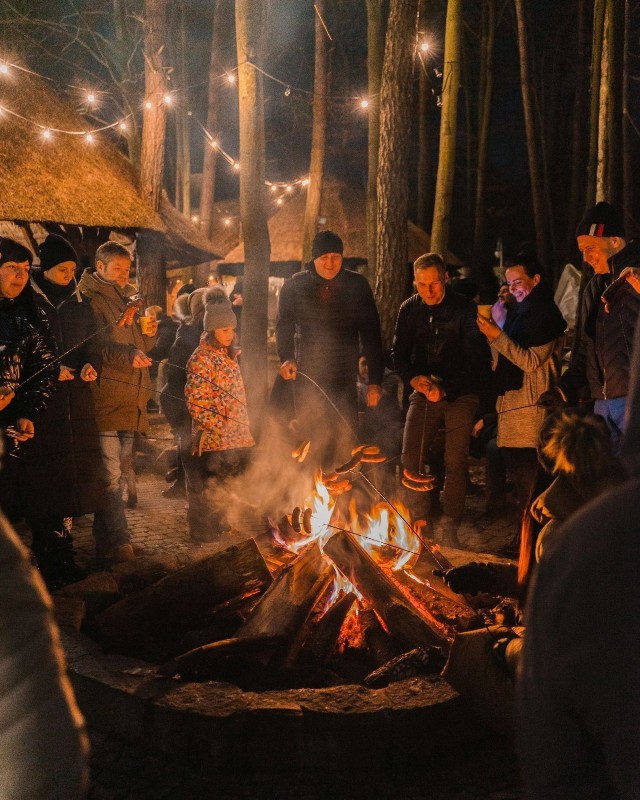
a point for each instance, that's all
(443, 341)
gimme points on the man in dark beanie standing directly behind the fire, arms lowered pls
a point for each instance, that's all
(326, 314)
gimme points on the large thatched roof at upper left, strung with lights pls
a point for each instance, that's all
(65, 179)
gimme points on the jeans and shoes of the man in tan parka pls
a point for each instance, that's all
(110, 527)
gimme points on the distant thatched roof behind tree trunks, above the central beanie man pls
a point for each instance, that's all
(343, 210)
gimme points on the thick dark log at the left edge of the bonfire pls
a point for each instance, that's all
(160, 615)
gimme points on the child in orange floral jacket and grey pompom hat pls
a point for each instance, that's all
(216, 400)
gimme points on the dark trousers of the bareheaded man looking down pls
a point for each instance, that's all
(424, 420)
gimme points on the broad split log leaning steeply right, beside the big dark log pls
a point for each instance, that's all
(286, 604)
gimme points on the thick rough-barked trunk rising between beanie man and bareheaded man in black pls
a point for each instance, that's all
(393, 161)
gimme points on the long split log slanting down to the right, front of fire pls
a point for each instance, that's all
(402, 620)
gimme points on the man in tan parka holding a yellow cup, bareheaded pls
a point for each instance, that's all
(121, 392)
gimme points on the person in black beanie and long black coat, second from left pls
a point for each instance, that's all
(64, 458)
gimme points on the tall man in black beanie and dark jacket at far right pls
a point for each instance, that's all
(600, 360)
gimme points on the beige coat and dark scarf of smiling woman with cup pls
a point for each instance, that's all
(537, 366)
